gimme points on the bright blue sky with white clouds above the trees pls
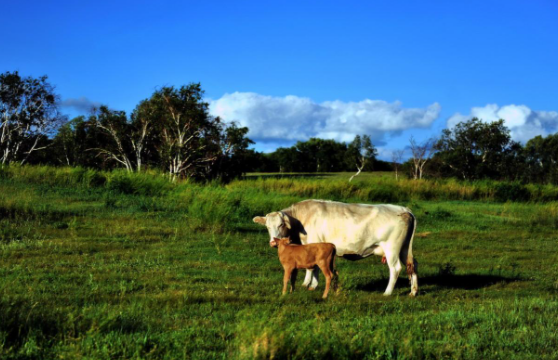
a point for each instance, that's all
(291, 70)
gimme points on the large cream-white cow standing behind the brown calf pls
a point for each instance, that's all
(357, 230)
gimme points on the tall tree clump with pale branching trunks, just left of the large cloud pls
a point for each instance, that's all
(173, 130)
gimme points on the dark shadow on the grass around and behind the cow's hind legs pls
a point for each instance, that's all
(463, 282)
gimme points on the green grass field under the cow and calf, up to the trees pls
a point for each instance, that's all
(98, 266)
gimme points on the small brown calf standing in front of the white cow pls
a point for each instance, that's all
(294, 257)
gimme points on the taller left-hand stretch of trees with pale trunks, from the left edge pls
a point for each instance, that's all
(172, 131)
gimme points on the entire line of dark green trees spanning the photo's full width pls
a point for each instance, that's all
(172, 131)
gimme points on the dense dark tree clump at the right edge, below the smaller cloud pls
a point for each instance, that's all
(475, 150)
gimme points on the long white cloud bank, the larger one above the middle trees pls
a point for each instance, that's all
(292, 118)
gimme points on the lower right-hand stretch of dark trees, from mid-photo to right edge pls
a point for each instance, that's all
(471, 150)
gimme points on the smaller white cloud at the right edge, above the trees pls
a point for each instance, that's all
(523, 122)
